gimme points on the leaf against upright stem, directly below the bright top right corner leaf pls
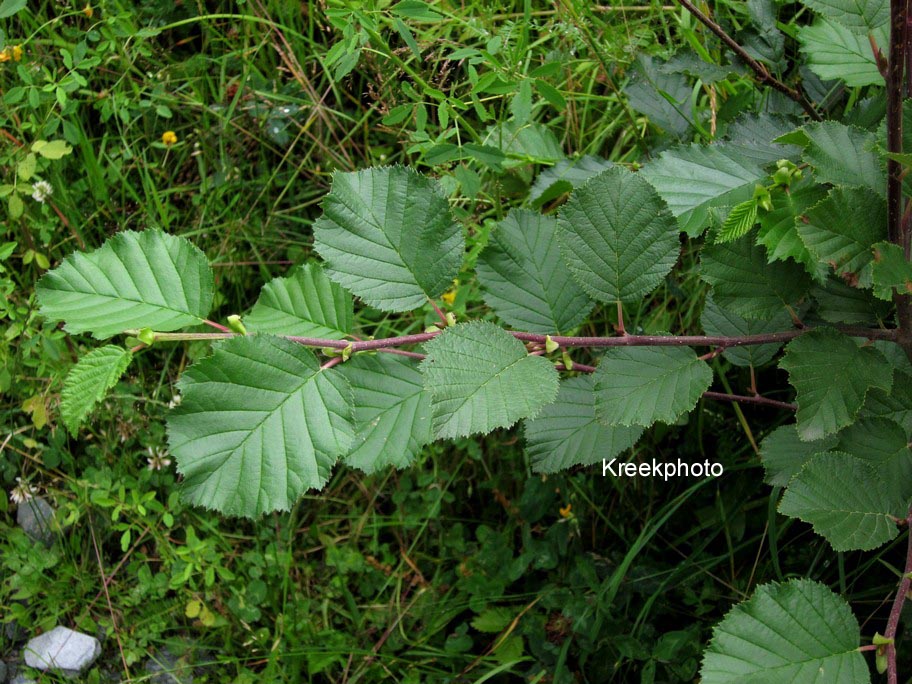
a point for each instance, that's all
(844, 155)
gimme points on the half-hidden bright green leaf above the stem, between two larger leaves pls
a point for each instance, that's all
(306, 304)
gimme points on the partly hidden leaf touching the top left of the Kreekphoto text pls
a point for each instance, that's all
(566, 433)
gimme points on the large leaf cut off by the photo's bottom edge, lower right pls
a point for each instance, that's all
(799, 631)
